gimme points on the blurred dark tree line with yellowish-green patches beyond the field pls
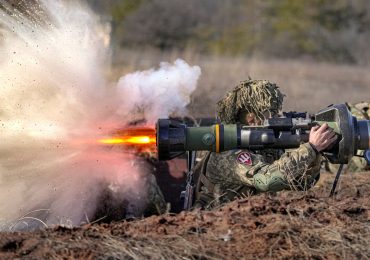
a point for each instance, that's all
(324, 30)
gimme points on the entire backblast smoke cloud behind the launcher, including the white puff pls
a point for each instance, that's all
(54, 104)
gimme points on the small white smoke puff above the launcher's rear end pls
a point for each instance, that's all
(159, 93)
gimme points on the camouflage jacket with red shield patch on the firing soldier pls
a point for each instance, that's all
(229, 175)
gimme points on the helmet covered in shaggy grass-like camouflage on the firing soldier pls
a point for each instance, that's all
(251, 96)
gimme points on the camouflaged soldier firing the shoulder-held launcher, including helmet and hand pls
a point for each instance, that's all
(232, 174)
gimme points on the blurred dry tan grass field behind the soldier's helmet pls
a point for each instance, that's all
(308, 85)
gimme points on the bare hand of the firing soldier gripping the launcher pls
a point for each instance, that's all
(321, 137)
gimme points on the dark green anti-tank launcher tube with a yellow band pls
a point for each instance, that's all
(174, 138)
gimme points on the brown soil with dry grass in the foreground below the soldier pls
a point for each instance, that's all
(286, 225)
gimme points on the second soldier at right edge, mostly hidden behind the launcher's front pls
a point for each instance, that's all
(357, 164)
